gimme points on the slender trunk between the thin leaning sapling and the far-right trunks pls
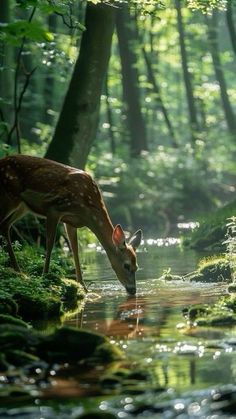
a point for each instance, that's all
(187, 76)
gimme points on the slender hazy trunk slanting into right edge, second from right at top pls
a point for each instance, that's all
(212, 22)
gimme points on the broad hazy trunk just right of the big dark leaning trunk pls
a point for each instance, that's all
(135, 121)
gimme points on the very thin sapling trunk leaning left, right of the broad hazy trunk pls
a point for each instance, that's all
(157, 90)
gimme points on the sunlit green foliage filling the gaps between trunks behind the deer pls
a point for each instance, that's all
(169, 183)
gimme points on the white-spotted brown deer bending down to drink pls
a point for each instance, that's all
(61, 193)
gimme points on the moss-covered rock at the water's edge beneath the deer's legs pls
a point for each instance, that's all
(37, 297)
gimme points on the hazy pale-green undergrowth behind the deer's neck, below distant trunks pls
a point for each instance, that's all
(166, 185)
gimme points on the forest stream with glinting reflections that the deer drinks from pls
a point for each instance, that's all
(178, 371)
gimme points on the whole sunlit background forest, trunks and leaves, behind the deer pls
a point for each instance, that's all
(155, 123)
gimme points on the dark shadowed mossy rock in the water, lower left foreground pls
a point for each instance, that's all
(66, 344)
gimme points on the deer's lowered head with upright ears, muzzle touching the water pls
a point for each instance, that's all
(124, 262)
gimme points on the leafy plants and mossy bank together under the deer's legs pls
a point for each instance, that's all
(33, 296)
